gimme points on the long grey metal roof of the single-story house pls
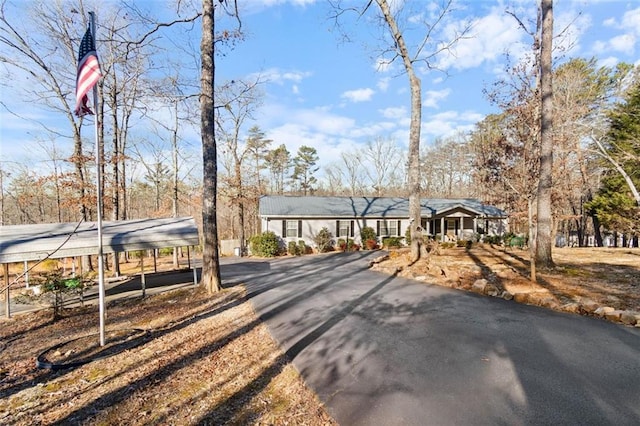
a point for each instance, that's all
(298, 206)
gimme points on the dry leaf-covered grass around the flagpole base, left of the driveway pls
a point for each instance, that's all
(202, 360)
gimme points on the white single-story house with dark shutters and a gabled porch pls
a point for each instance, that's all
(297, 218)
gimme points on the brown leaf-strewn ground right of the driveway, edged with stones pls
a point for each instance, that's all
(583, 279)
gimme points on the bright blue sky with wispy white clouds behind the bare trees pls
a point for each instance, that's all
(335, 95)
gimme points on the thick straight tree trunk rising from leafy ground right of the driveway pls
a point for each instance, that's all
(543, 255)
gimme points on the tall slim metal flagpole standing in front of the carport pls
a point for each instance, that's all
(98, 196)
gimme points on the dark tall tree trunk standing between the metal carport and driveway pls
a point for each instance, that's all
(210, 262)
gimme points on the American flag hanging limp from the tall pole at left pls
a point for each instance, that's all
(88, 73)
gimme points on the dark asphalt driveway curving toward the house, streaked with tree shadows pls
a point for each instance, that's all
(383, 350)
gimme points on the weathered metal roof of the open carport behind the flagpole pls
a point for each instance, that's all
(56, 240)
